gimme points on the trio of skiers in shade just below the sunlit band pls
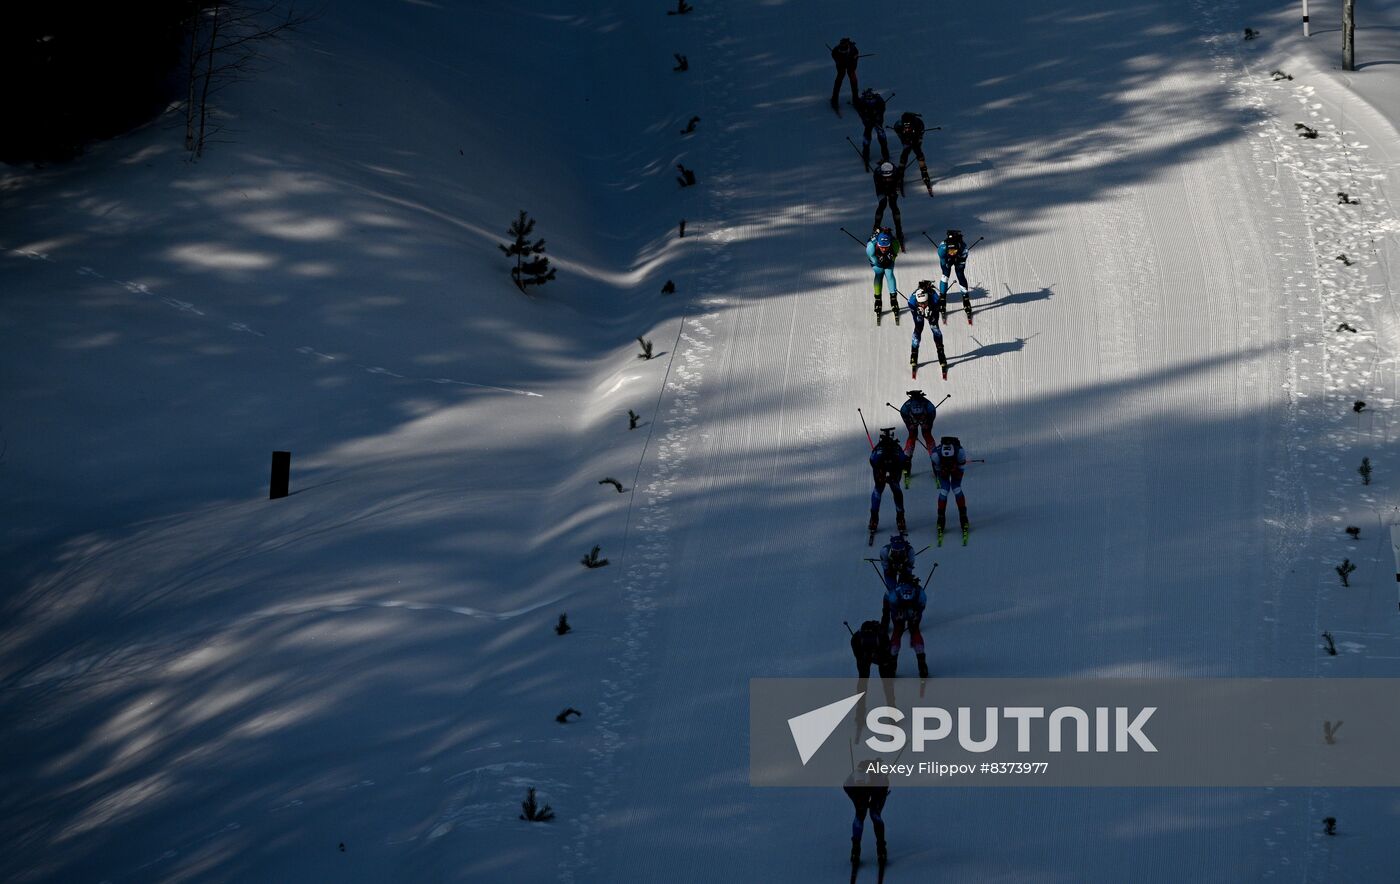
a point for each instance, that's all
(892, 466)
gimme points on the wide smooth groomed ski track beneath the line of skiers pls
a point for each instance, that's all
(1137, 380)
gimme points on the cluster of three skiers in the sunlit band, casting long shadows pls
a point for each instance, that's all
(926, 301)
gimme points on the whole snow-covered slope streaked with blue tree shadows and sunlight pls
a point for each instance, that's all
(204, 686)
